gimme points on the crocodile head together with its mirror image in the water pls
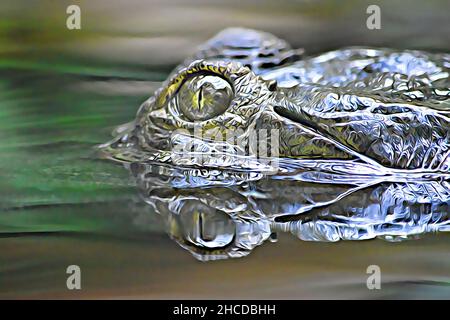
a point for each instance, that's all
(355, 145)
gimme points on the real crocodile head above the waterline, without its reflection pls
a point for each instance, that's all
(382, 108)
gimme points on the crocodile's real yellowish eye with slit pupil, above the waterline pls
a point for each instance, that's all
(203, 97)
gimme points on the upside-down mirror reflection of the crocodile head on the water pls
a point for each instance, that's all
(226, 222)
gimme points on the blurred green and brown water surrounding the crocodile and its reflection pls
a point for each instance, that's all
(62, 94)
